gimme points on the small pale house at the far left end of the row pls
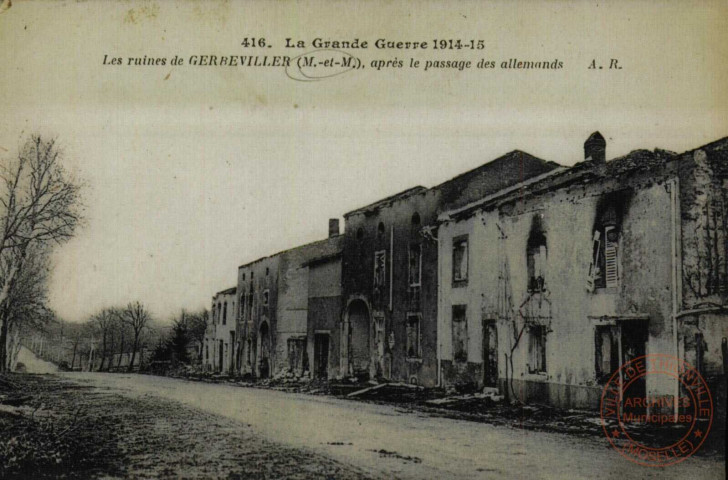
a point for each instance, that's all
(219, 344)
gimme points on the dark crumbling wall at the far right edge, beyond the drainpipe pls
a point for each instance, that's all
(703, 320)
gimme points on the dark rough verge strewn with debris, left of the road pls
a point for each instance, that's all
(77, 432)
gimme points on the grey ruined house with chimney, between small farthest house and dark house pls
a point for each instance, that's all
(274, 315)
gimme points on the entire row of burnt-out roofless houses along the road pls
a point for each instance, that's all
(523, 275)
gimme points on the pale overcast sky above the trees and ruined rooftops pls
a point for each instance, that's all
(193, 171)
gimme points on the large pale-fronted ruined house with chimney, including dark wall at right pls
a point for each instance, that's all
(548, 286)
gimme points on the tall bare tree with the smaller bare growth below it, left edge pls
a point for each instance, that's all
(40, 207)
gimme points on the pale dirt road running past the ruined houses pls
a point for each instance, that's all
(388, 442)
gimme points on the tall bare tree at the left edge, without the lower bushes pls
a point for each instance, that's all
(39, 206)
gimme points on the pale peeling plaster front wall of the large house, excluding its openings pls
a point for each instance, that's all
(497, 287)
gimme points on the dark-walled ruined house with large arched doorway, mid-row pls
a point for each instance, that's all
(390, 272)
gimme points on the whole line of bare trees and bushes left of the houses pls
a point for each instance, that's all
(40, 208)
